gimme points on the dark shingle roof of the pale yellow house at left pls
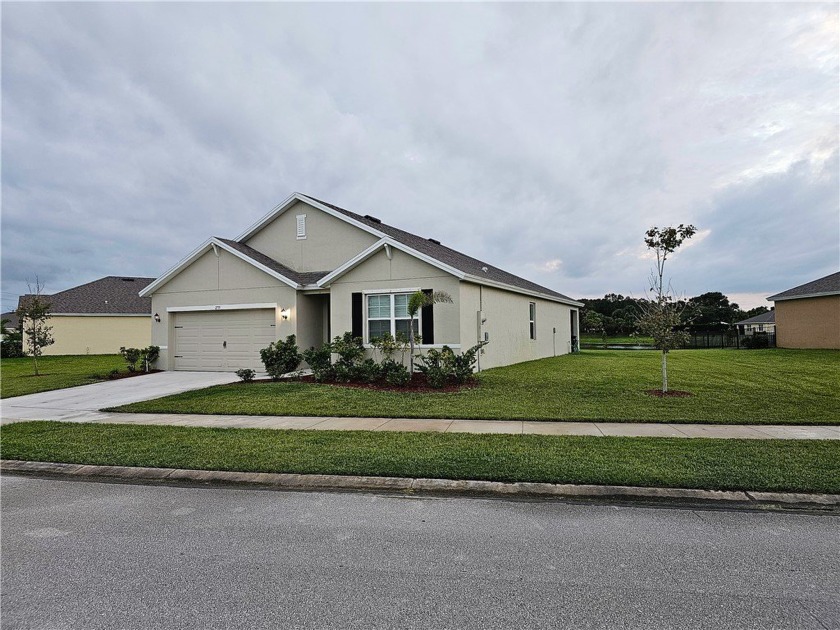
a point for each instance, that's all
(111, 295)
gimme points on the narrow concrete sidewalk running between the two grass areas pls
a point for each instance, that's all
(510, 427)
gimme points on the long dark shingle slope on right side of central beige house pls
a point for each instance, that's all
(446, 255)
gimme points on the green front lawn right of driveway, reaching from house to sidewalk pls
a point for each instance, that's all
(729, 387)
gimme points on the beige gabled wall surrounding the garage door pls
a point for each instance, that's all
(214, 281)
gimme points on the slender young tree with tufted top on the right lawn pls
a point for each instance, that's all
(661, 314)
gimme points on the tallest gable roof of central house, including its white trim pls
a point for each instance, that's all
(467, 268)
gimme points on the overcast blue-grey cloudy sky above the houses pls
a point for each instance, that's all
(544, 138)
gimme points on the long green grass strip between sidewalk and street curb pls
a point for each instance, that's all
(771, 465)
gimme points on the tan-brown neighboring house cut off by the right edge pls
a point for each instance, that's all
(808, 316)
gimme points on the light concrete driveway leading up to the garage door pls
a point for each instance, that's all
(79, 402)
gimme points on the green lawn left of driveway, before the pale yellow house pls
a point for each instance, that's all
(16, 375)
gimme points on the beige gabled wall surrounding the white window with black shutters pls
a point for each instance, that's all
(401, 272)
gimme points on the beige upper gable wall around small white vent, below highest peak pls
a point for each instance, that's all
(329, 242)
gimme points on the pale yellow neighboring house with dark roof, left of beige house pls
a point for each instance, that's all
(99, 317)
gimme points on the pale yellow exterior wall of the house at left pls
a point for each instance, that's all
(98, 334)
